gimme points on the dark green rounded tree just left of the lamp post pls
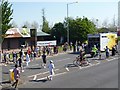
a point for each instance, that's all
(59, 32)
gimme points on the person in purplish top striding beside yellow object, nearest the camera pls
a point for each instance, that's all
(16, 75)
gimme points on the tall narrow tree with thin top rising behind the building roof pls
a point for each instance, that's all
(45, 25)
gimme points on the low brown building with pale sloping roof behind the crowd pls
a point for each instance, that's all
(17, 38)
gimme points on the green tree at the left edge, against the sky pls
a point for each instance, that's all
(7, 12)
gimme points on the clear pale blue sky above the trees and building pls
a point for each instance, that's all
(57, 11)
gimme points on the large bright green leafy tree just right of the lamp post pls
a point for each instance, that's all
(79, 28)
